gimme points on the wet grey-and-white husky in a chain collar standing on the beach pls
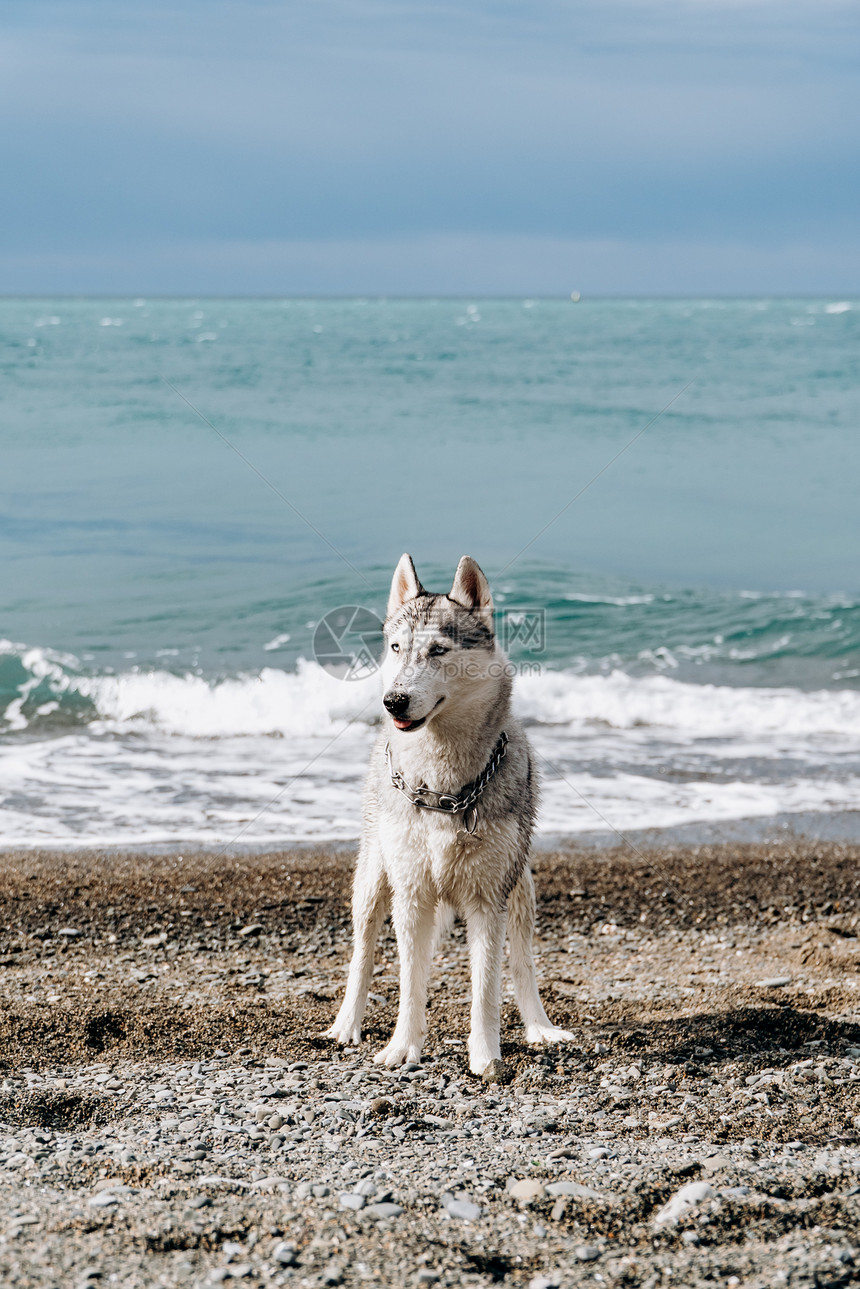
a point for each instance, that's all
(449, 813)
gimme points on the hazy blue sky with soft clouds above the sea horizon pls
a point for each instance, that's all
(616, 148)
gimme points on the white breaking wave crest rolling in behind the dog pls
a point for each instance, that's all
(309, 702)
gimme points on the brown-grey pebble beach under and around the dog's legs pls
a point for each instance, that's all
(171, 1116)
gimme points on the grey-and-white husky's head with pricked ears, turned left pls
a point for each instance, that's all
(440, 650)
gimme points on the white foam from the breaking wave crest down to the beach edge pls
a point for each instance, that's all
(282, 756)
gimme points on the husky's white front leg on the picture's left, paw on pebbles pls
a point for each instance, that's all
(416, 927)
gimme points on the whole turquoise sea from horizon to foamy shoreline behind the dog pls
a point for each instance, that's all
(203, 502)
